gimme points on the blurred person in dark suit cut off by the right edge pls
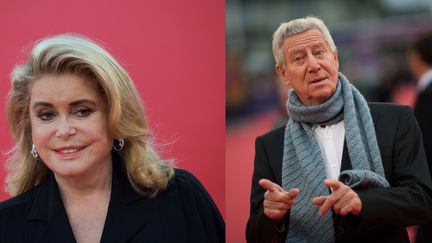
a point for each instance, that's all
(420, 60)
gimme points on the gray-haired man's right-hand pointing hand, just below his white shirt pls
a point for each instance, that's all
(343, 199)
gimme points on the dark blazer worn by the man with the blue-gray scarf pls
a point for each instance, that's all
(385, 211)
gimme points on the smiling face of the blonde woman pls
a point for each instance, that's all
(69, 125)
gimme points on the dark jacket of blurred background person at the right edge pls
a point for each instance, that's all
(423, 114)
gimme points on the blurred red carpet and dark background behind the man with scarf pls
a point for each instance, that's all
(372, 37)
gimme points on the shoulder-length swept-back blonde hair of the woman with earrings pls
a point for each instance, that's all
(78, 55)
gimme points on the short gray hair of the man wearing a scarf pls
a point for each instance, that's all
(294, 27)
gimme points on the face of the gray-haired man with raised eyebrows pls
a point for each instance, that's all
(311, 67)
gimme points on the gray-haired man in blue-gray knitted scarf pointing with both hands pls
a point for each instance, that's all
(341, 170)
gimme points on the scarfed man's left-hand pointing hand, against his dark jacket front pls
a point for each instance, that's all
(277, 201)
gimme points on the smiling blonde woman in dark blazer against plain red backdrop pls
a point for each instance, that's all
(83, 168)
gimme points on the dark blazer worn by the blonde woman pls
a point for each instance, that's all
(182, 213)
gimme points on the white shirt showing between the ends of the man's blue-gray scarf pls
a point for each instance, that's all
(331, 140)
